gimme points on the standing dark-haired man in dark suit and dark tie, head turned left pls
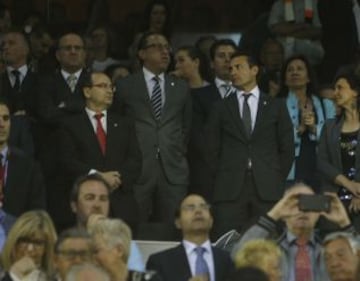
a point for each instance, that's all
(250, 149)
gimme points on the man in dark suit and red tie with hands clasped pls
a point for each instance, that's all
(99, 141)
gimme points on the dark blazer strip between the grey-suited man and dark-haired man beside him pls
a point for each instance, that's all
(202, 100)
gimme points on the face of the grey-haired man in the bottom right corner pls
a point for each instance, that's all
(341, 262)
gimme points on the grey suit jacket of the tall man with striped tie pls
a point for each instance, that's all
(166, 138)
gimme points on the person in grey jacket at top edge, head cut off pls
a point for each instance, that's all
(297, 25)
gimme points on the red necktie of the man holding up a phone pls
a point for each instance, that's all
(302, 262)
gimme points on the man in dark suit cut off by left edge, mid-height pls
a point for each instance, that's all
(21, 183)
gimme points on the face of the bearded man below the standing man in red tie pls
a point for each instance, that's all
(93, 199)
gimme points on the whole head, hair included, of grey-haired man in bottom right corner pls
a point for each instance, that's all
(341, 253)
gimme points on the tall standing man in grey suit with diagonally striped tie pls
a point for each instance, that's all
(161, 107)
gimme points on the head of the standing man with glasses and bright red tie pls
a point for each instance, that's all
(100, 95)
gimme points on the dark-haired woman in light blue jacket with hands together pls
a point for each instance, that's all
(308, 114)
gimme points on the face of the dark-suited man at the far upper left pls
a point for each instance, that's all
(15, 49)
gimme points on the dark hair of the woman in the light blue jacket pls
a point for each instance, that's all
(311, 88)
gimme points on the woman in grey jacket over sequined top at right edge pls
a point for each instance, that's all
(339, 149)
